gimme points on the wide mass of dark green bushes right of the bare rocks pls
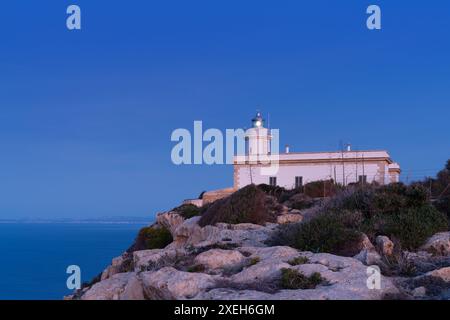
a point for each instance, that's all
(400, 212)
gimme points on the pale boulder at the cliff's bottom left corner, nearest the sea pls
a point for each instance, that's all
(121, 286)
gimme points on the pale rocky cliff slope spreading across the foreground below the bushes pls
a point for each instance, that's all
(237, 261)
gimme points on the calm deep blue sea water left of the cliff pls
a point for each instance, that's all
(34, 257)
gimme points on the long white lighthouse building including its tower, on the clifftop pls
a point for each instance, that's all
(293, 169)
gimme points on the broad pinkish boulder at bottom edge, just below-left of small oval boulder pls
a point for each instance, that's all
(169, 283)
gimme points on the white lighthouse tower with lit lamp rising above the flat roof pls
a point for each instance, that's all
(257, 138)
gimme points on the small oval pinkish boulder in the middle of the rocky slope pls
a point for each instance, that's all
(220, 259)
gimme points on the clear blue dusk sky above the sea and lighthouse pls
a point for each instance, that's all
(86, 116)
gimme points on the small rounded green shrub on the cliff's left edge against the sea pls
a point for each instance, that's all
(152, 238)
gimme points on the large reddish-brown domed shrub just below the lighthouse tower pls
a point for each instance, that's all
(247, 205)
